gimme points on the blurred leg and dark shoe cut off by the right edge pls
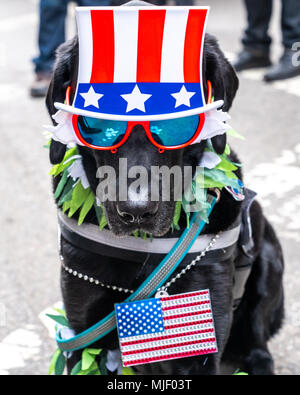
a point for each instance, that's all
(290, 25)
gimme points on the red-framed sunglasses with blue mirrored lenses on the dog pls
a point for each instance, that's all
(169, 134)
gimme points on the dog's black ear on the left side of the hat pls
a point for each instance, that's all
(64, 75)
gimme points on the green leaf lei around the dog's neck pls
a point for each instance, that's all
(73, 198)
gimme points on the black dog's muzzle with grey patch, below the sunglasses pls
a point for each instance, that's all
(139, 187)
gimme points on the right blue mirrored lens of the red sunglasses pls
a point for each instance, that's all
(174, 132)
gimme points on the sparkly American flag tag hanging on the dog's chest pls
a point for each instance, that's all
(165, 328)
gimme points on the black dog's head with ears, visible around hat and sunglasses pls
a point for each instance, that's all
(138, 210)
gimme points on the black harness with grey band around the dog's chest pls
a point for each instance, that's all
(241, 250)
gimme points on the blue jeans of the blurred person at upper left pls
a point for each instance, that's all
(52, 29)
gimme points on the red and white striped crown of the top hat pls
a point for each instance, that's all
(125, 45)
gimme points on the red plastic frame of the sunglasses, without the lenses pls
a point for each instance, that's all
(145, 125)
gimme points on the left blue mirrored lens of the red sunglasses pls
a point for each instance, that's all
(100, 132)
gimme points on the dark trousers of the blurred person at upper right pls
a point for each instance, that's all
(259, 12)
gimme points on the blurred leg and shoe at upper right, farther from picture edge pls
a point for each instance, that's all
(256, 40)
